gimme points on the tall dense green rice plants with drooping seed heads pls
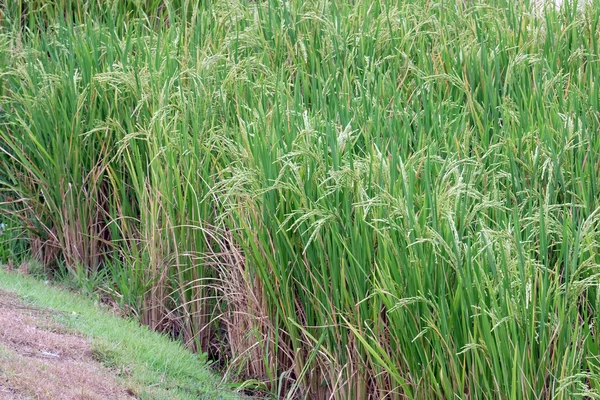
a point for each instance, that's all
(372, 198)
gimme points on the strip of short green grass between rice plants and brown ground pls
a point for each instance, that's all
(151, 364)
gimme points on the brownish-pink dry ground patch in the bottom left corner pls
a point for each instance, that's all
(39, 359)
